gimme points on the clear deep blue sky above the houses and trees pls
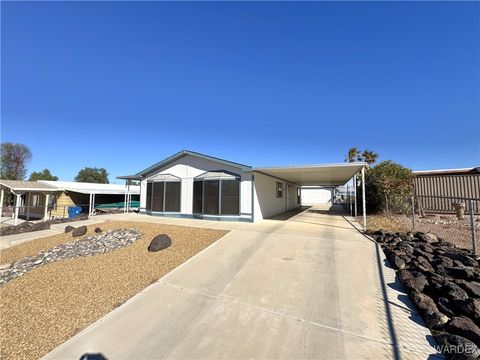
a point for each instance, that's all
(122, 85)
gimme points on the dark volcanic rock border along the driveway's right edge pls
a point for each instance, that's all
(443, 282)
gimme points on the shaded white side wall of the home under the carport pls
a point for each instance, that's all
(266, 203)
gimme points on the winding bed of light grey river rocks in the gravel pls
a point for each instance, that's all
(89, 246)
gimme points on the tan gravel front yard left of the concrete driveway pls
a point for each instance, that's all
(45, 307)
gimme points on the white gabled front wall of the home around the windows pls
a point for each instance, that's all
(187, 168)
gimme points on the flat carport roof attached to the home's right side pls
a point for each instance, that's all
(308, 175)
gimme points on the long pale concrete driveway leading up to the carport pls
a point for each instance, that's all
(308, 287)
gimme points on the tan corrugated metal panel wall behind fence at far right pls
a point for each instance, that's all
(455, 187)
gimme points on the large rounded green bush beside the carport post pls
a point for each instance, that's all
(388, 178)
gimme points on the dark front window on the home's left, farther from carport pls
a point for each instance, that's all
(163, 196)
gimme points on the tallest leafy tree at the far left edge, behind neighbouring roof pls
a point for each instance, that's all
(14, 159)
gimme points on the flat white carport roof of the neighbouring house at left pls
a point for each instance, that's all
(91, 188)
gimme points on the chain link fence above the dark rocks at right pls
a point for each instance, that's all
(453, 219)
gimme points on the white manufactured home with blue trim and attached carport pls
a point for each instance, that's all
(193, 185)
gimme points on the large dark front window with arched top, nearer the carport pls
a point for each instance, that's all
(217, 196)
